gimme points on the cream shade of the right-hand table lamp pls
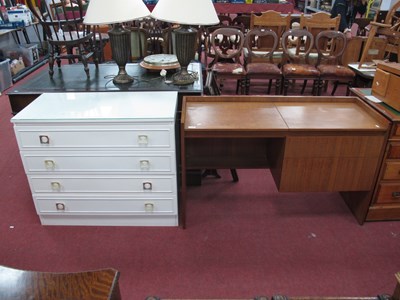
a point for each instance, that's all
(186, 12)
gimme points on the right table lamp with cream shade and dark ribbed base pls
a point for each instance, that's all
(185, 13)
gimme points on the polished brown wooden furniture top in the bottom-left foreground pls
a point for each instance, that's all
(21, 284)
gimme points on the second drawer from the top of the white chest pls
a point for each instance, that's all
(97, 161)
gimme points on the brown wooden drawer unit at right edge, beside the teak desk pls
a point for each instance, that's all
(385, 204)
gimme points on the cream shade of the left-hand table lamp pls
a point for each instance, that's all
(115, 11)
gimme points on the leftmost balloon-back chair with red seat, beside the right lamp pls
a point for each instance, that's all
(227, 44)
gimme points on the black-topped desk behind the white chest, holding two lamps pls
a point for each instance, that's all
(72, 78)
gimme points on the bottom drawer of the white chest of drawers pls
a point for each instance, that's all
(120, 206)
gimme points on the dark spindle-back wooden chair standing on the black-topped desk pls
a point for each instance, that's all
(67, 36)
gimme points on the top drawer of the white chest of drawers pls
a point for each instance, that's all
(145, 137)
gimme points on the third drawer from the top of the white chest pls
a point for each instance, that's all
(103, 184)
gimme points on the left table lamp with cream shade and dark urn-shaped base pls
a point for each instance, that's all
(115, 12)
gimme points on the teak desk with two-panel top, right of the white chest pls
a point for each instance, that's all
(316, 144)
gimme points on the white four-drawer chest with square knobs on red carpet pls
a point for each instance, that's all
(101, 158)
